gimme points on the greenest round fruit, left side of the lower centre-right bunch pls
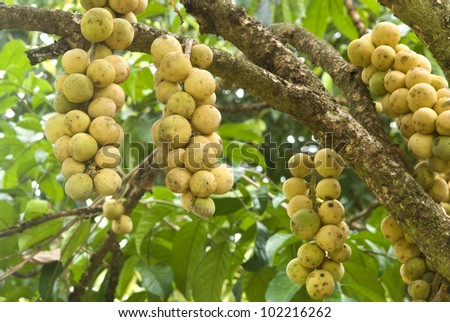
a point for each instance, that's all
(305, 223)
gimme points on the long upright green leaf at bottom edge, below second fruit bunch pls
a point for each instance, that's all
(211, 273)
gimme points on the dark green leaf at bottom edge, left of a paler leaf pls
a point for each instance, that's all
(255, 284)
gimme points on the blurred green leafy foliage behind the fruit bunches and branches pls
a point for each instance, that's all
(241, 253)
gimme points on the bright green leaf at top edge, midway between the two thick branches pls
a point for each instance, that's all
(316, 19)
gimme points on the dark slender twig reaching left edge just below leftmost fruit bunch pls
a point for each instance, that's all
(83, 212)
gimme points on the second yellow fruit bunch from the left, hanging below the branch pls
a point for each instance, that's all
(186, 137)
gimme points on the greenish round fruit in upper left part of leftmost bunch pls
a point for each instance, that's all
(78, 88)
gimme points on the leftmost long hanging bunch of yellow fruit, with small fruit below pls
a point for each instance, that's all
(85, 135)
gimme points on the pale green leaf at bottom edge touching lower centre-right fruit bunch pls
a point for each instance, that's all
(281, 288)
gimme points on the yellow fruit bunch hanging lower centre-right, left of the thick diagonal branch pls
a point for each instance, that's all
(316, 214)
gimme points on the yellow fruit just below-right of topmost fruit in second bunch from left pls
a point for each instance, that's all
(175, 67)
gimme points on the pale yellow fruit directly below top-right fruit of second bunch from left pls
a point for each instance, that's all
(200, 84)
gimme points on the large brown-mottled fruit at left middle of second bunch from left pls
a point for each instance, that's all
(174, 131)
